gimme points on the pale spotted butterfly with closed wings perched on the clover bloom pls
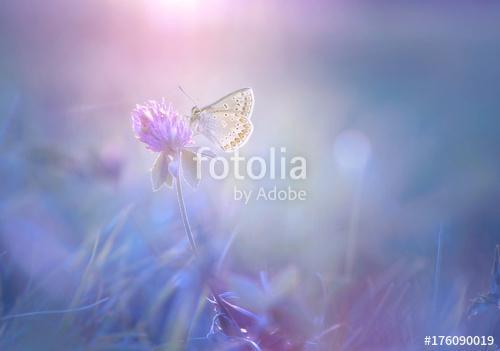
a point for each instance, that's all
(226, 122)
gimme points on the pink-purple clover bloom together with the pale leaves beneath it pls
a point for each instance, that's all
(164, 130)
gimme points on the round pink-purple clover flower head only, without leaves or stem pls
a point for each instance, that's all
(160, 127)
